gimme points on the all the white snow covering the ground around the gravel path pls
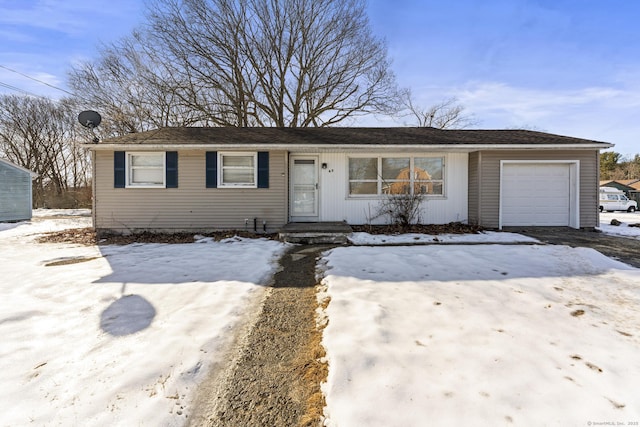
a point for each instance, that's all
(484, 334)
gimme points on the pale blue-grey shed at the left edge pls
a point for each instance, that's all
(15, 192)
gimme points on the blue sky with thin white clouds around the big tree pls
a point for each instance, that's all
(570, 67)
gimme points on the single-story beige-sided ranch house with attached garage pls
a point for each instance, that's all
(188, 179)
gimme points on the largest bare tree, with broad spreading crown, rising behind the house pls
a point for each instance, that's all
(243, 63)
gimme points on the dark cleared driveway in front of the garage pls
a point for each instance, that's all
(624, 249)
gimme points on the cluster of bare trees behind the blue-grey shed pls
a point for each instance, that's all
(39, 134)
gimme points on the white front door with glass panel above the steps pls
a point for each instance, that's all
(304, 188)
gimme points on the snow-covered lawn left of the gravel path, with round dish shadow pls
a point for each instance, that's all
(116, 335)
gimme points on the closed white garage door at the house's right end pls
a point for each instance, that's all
(536, 194)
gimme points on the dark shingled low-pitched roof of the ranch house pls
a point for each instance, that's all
(346, 137)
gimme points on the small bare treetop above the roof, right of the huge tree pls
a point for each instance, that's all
(448, 114)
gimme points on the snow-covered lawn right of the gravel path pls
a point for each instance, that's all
(481, 335)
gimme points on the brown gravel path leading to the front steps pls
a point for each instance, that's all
(275, 378)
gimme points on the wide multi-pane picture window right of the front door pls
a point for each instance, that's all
(396, 175)
